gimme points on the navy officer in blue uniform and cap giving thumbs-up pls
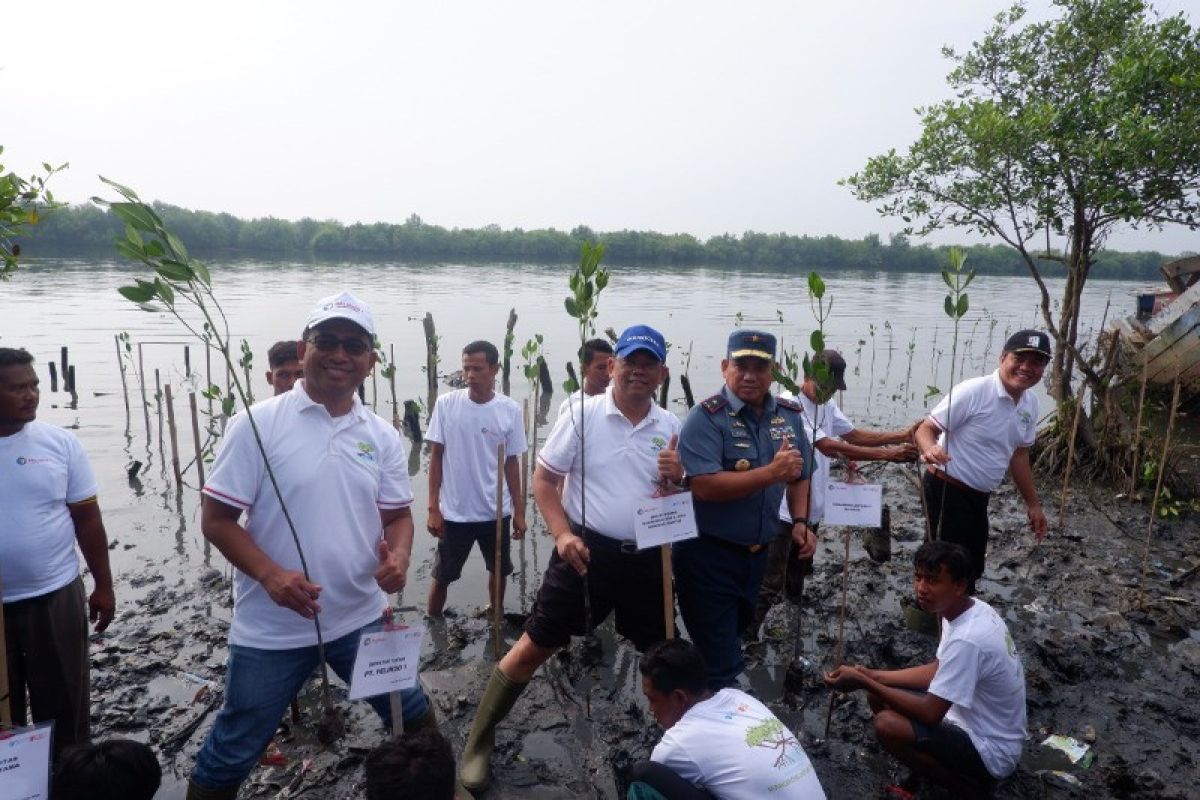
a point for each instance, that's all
(742, 450)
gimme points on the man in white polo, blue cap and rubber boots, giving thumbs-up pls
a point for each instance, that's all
(627, 454)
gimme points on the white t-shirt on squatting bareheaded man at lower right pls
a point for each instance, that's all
(981, 675)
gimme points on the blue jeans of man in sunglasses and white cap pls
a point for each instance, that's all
(260, 687)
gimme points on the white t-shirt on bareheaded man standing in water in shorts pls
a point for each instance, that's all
(471, 432)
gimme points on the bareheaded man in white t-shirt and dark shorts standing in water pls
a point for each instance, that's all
(467, 428)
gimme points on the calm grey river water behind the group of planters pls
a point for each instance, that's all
(891, 329)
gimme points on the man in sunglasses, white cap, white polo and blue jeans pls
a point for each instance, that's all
(343, 474)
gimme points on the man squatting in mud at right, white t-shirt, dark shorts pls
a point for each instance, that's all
(961, 719)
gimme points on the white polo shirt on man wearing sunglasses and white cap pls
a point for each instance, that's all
(335, 474)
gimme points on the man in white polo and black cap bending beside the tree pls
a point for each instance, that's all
(983, 429)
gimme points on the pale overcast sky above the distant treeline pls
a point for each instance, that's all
(689, 117)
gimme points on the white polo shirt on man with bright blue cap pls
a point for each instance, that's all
(622, 466)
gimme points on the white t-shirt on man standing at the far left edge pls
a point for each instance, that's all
(43, 470)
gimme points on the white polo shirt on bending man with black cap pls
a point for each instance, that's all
(987, 428)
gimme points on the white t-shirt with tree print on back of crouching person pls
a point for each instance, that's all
(733, 747)
